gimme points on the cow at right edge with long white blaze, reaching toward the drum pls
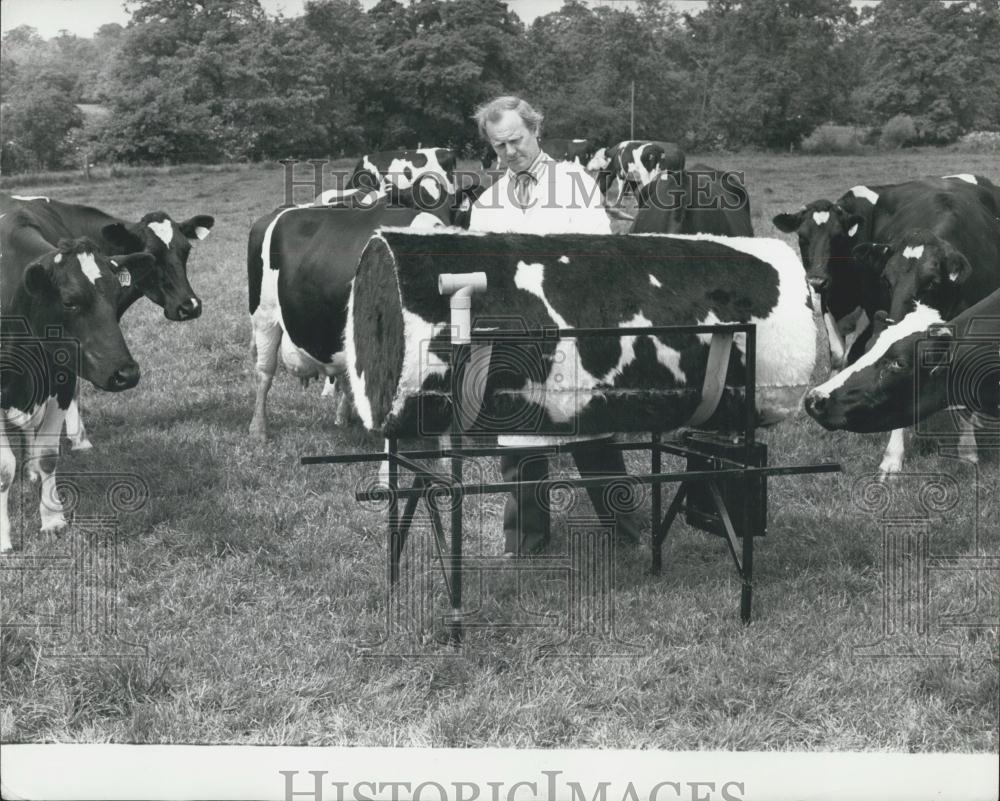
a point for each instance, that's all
(918, 367)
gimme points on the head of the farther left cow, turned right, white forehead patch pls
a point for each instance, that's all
(170, 245)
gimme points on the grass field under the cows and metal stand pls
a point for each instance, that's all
(244, 589)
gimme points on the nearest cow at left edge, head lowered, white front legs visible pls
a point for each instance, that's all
(60, 320)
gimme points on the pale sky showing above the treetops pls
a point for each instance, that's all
(83, 17)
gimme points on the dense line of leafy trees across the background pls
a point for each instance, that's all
(220, 80)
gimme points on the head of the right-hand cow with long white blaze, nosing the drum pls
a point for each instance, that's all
(877, 392)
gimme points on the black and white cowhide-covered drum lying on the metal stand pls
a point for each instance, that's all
(398, 336)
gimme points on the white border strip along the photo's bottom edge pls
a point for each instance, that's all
(248, 773)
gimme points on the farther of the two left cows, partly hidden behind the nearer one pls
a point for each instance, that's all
(167, 241)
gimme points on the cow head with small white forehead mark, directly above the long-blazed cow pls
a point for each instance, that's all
(919, 268)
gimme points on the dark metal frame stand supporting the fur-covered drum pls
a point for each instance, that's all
(723, 491)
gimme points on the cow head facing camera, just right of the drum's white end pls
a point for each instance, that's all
(827, 232)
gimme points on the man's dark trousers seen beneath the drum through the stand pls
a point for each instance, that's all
(526, 514)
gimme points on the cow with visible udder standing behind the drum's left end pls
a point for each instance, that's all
(300, 264)
